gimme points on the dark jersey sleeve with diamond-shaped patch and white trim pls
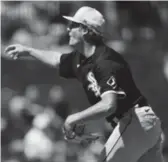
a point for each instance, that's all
(108, 75)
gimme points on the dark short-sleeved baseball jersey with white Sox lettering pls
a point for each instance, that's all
(105, 71)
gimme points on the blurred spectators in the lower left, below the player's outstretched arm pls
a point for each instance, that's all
(31, 132)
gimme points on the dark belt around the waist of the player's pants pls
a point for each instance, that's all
(140, 102)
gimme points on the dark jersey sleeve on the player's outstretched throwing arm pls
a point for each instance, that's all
(66, 65)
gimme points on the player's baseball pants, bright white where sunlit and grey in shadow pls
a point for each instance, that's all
(136, 138)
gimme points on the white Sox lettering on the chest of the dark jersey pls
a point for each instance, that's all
(93, 84)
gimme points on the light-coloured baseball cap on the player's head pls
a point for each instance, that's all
(88, 16)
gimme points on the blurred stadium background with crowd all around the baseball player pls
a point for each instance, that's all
(35, 101)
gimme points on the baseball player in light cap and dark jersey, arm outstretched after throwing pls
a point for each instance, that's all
(109, 86)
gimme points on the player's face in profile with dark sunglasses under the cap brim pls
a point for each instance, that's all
(75, 33)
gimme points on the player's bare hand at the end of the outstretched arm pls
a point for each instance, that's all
(15, 51)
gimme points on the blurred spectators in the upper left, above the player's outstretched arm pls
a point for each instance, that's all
(33, 24)
